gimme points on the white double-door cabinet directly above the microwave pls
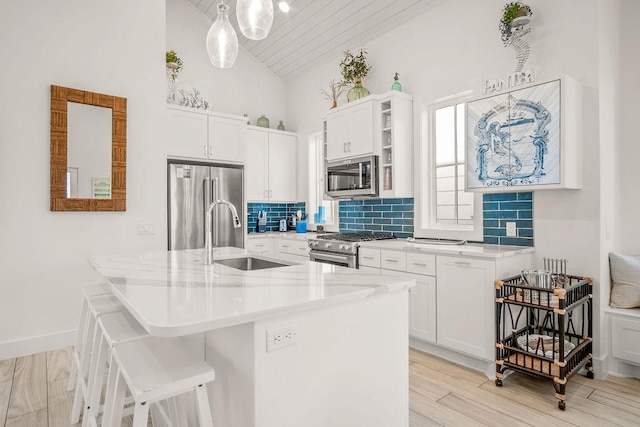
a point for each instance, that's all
(350, 131)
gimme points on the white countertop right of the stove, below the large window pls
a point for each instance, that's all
(470, 249)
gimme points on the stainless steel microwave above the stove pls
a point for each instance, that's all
(349, 178)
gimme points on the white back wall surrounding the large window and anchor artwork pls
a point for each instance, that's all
(454, 46)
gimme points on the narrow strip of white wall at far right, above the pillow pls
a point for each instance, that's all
(630, 111)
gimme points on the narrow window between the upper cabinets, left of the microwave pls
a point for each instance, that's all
(316, 184)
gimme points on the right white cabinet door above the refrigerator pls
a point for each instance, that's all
(226, 141)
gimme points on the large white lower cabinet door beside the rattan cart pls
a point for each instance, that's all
(465, 300)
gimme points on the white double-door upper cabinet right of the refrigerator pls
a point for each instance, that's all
(271, 166)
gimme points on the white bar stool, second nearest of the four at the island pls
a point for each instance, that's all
(113, 329)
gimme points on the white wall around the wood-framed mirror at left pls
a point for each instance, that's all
(113, 47)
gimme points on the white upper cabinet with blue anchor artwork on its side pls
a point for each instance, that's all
(526, 139)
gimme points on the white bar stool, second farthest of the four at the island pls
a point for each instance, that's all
(96, 307)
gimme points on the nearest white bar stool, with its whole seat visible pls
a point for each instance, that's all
(155, 369)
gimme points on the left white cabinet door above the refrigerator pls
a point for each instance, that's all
(186, 134)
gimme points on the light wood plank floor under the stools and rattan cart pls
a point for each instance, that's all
(33, 393)
